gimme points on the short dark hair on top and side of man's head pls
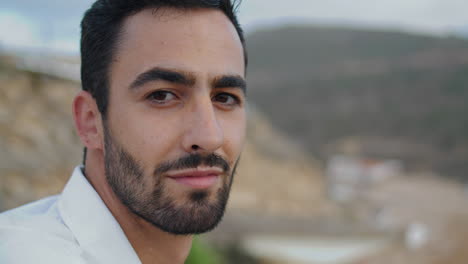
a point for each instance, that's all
(102, 25)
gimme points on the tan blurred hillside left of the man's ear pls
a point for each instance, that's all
(39, 146)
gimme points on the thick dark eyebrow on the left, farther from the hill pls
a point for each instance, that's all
(161, 74)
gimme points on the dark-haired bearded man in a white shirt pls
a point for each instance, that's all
(162, 116)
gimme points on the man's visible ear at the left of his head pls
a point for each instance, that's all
(88, 121)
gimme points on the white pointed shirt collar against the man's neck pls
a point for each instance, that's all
(94, 227)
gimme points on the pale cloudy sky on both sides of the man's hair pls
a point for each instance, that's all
(54, 25)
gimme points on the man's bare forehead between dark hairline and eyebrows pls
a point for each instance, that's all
(202, 41)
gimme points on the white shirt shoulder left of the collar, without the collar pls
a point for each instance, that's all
(35, 233)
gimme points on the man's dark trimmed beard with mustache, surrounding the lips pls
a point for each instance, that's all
(198, 213)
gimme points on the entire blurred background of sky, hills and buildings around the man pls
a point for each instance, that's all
(357, 146)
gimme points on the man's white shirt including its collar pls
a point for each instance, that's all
(74, 227)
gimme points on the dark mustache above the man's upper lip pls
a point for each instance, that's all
(192, 161)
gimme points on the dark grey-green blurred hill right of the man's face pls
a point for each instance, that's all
(376, 94)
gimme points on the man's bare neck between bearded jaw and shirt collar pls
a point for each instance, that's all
(151, 244)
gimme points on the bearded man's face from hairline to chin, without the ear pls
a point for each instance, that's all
(176, 120)
